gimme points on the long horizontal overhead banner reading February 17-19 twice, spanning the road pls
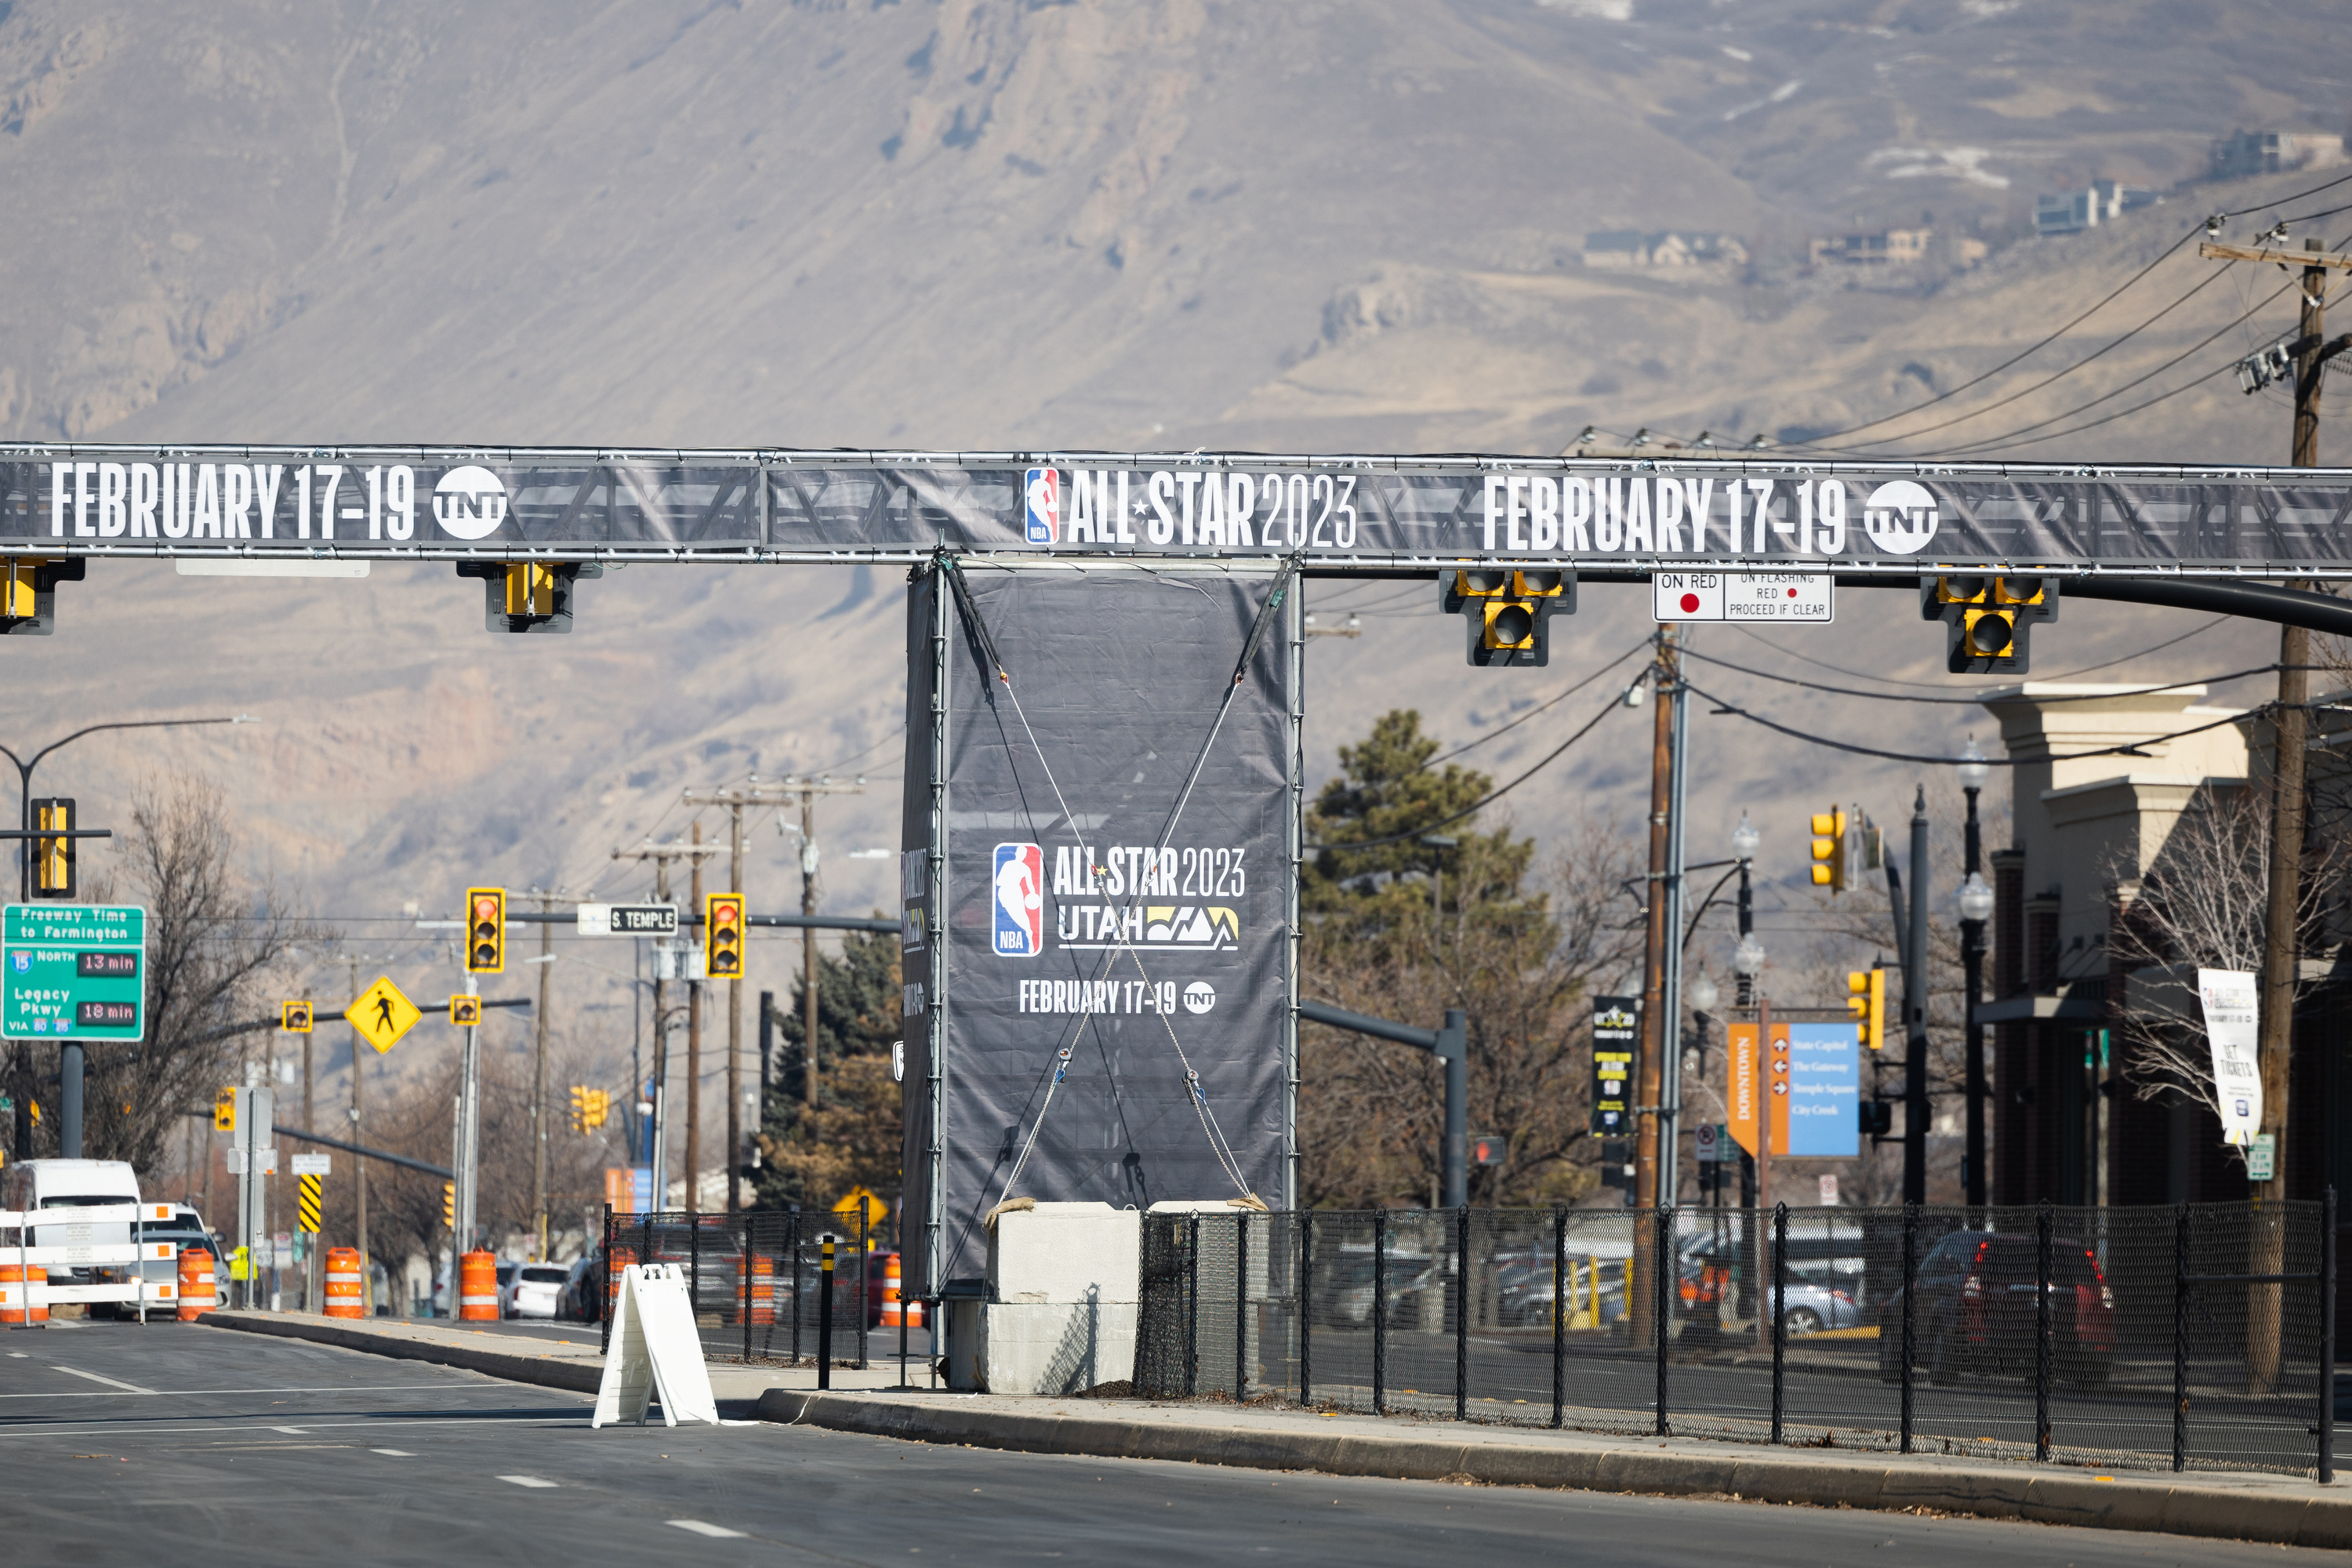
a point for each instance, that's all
(1796, 516)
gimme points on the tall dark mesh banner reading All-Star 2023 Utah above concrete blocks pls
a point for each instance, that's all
(1097, 958)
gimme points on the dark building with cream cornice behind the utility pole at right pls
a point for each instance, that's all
(2097, 838)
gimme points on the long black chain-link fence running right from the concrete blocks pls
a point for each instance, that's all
(2087, 1336)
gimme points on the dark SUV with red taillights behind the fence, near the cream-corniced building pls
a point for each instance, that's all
(1977, 1311)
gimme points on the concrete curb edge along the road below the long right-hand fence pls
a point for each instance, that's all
(1989, 1494)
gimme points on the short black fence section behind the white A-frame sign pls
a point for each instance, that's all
(756, 1280)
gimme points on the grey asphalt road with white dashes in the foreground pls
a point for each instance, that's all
(178, 1445)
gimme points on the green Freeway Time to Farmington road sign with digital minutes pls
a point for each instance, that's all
(72, 972)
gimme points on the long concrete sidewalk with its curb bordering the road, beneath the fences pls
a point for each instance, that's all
(2283, 1510)
